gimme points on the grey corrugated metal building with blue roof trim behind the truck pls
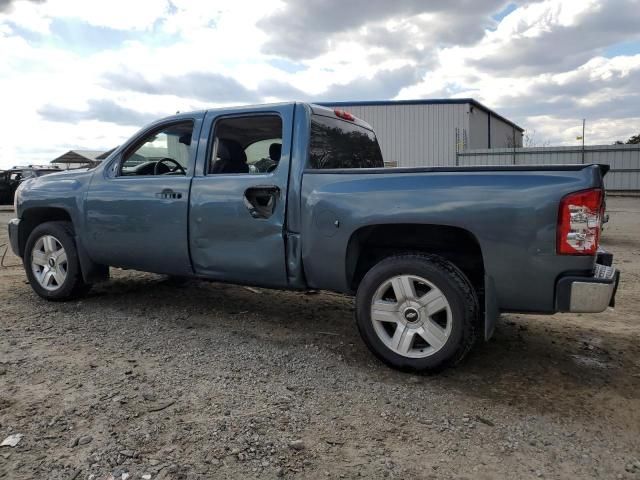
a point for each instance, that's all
(415, 133)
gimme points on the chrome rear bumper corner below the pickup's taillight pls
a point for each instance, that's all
(588, 294)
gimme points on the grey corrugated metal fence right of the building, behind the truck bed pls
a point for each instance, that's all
(623, 159)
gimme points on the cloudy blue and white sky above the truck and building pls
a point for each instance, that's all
(79, 74)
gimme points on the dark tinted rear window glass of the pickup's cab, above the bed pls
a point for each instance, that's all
(337, 143)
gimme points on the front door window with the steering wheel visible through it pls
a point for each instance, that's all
(163, 152)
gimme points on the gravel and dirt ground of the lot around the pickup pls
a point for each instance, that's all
(143, 379)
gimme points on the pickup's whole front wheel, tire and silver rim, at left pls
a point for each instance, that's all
(51, 262)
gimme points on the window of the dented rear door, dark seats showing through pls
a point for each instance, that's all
(247, 144)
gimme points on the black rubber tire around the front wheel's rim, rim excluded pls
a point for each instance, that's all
(73, 285)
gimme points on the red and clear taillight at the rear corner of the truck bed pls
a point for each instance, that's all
(579, 223)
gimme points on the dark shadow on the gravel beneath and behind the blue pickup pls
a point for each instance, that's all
(539, 365)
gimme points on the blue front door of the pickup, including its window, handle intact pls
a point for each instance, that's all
(137, 207)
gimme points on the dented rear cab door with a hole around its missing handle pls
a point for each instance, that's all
(238, 198)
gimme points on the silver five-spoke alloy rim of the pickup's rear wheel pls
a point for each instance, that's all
(411, 316)
